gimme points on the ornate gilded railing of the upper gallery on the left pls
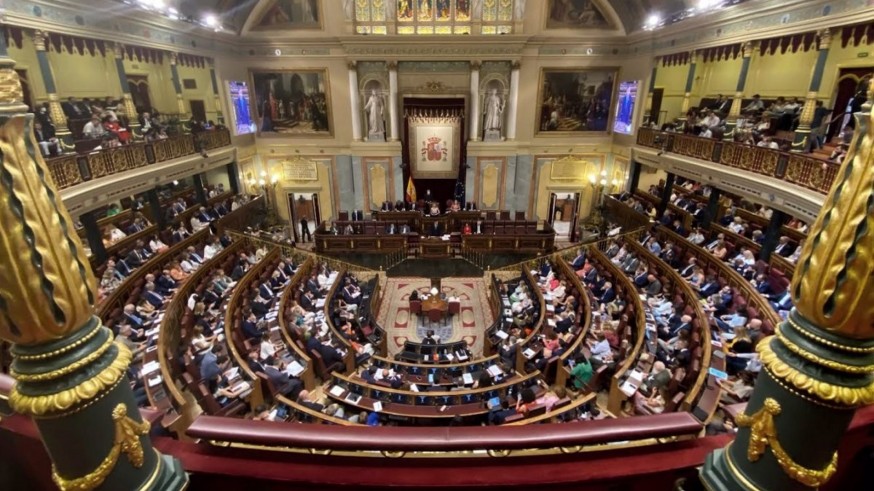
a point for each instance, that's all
(71, 169)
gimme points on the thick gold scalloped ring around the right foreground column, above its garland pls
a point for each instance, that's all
(848, 396)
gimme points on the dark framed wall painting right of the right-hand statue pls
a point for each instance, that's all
(575, 100)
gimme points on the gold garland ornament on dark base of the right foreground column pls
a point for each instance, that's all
(763, 434)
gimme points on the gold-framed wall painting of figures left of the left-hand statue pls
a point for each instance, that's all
(293, 102)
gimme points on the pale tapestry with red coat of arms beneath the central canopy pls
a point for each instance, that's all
(435, 146)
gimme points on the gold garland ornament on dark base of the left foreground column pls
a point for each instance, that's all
(127, 441)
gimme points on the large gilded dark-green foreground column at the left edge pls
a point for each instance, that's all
(70, 374)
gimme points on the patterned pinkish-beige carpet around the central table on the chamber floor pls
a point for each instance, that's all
(470, 324)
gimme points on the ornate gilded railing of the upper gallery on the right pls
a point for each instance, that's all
(796, 168)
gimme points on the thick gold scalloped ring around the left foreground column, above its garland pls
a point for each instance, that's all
(64, 400)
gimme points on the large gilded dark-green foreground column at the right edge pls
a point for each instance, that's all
(818, 368)
